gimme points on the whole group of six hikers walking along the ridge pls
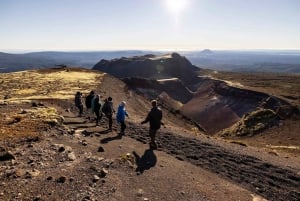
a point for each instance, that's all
(94, 107)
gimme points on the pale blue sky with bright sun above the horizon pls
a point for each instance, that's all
(84, 25)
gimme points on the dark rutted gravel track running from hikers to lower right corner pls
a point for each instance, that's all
(258, 176)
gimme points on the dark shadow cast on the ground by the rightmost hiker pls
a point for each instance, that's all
(146, 161)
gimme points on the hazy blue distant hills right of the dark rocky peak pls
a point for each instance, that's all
(250, 61)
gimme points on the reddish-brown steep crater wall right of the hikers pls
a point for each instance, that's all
(216, 105)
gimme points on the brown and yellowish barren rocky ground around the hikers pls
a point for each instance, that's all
(75, 160)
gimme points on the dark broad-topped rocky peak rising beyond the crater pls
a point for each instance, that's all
(150, 66)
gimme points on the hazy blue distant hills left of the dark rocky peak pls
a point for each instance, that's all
(17, 62)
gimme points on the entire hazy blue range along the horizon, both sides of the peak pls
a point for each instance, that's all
(282, 61)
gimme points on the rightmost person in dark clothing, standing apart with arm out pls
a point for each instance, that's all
(154, 117)
